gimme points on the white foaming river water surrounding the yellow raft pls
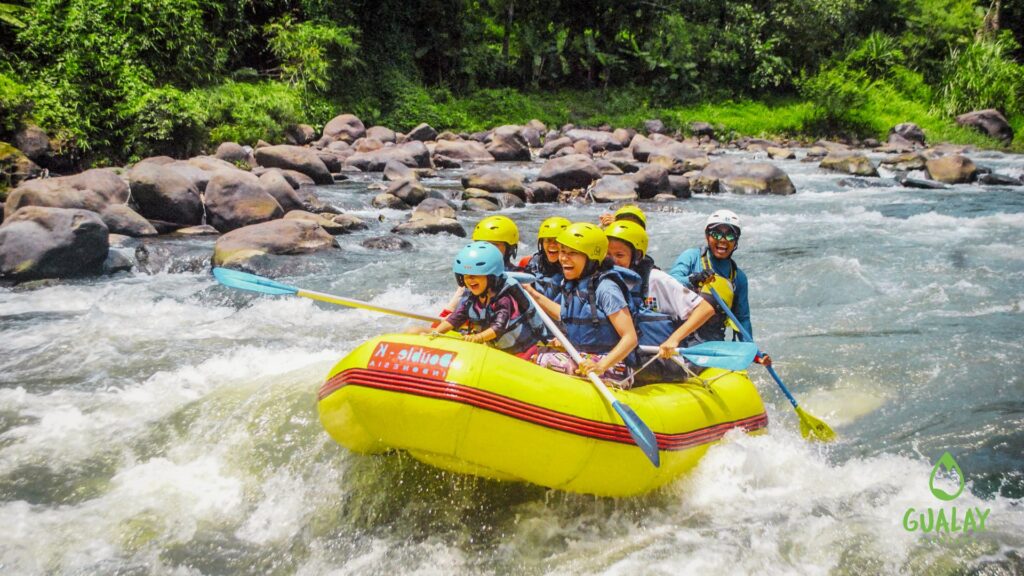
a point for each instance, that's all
(163, 425)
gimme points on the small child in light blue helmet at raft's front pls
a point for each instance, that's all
(492, 309)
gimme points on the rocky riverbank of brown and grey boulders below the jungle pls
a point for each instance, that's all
(263, 201)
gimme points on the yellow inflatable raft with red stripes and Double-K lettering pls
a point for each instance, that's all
(472, 409)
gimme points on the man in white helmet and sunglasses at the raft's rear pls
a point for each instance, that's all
(712, 266)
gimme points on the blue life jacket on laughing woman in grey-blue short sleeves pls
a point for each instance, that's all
(586, 326)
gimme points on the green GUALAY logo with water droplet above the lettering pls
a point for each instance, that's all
(946, 522)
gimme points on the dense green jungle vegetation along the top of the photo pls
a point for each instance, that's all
(114, 81)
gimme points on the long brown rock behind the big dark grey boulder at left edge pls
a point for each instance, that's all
(93, 190)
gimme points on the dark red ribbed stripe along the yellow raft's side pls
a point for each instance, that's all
(452, 392)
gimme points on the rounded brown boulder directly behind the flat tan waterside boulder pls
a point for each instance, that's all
(237, 199)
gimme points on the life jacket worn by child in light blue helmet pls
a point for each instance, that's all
(525, 330)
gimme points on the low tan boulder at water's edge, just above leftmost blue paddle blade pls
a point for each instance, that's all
(278, 237)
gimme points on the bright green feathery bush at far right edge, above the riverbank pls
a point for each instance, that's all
(982, 76)
